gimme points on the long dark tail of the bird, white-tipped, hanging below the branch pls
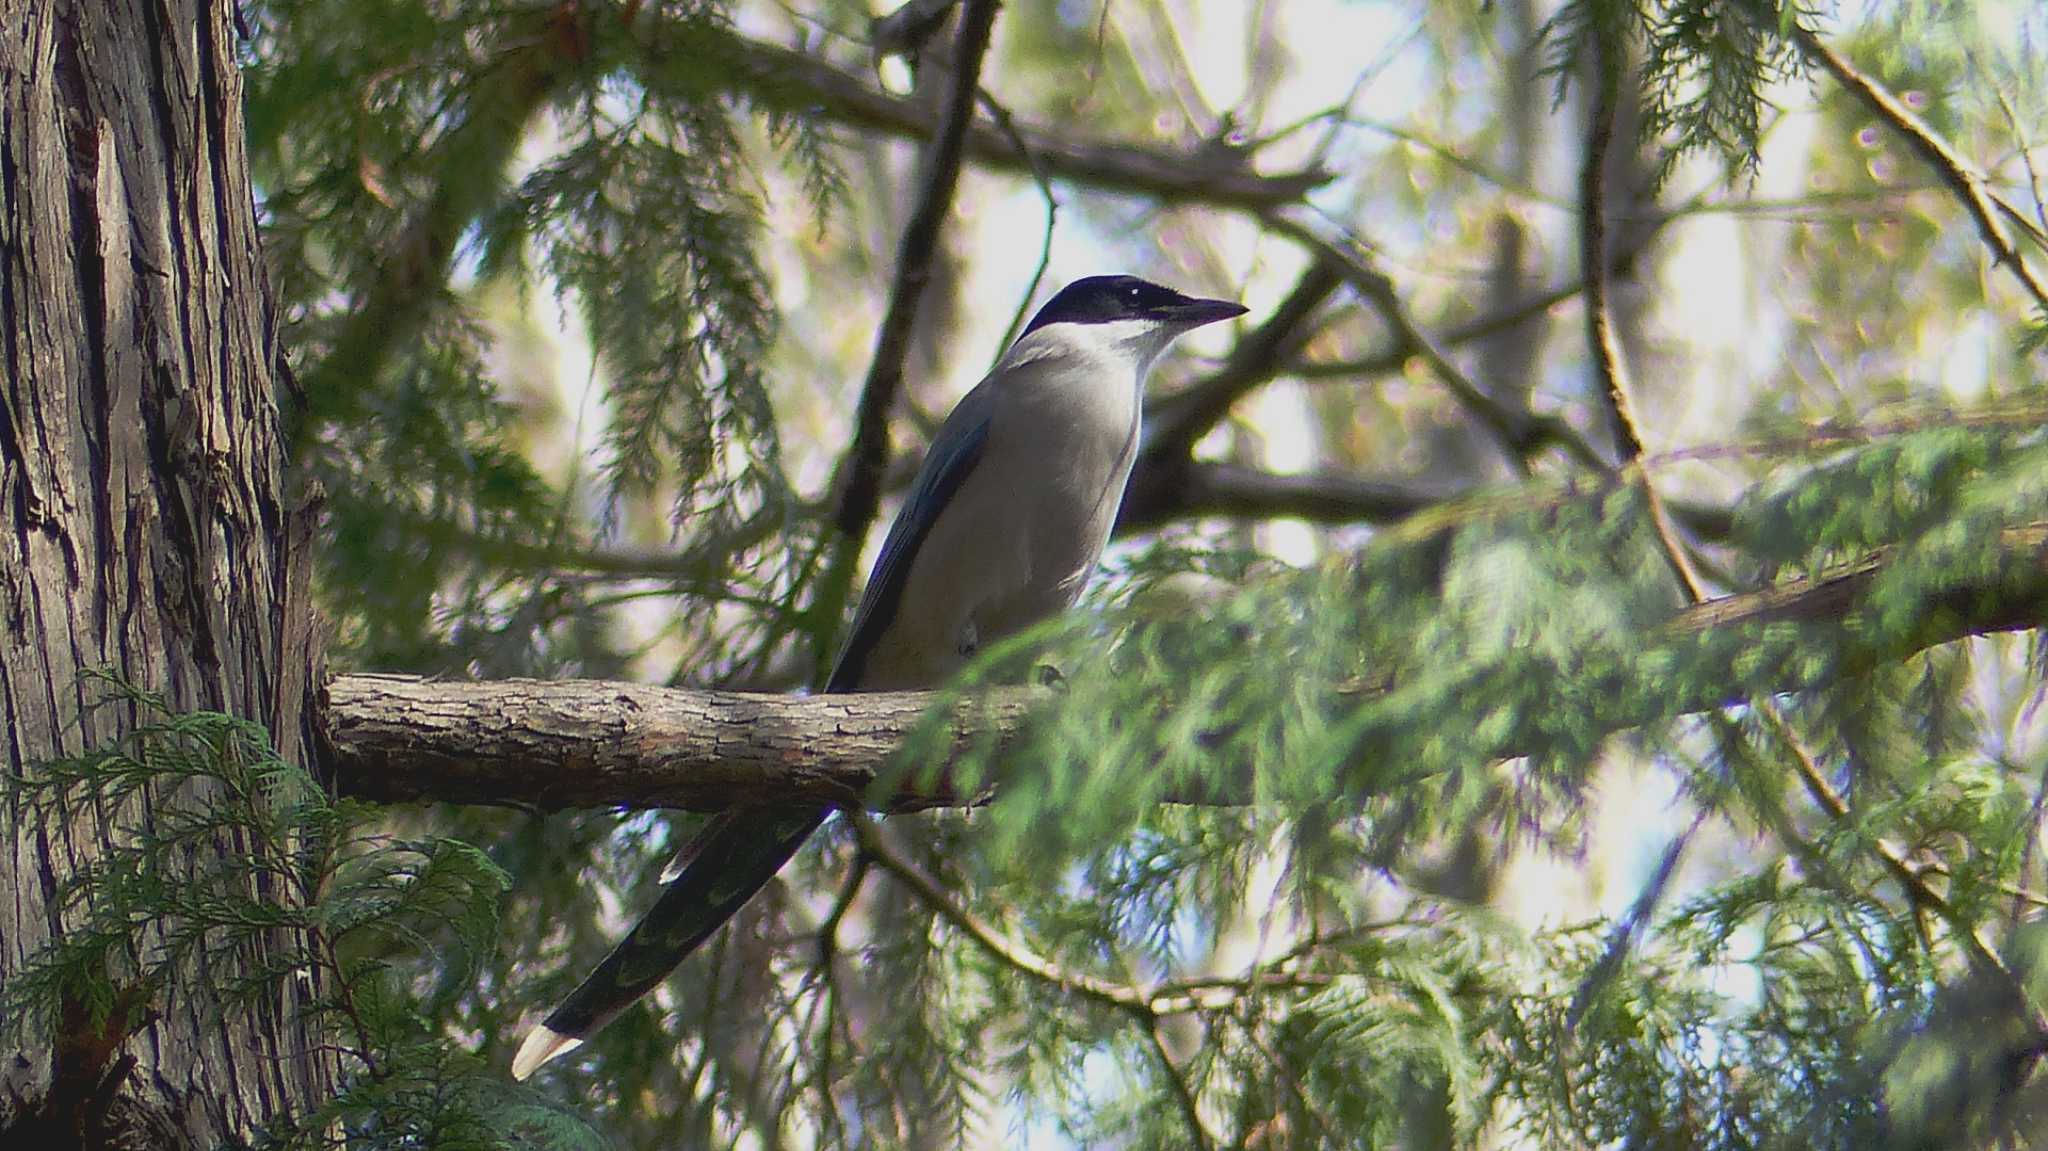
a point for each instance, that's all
(722, 869)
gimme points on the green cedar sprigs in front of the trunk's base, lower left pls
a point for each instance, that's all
(374, 935)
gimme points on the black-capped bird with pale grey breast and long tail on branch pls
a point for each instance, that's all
(1002, 527)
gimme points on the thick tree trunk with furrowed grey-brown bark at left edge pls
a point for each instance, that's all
(146, 523)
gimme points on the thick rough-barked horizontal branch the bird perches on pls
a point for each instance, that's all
(556, 744)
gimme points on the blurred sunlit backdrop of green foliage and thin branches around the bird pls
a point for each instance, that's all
(581, 296)
